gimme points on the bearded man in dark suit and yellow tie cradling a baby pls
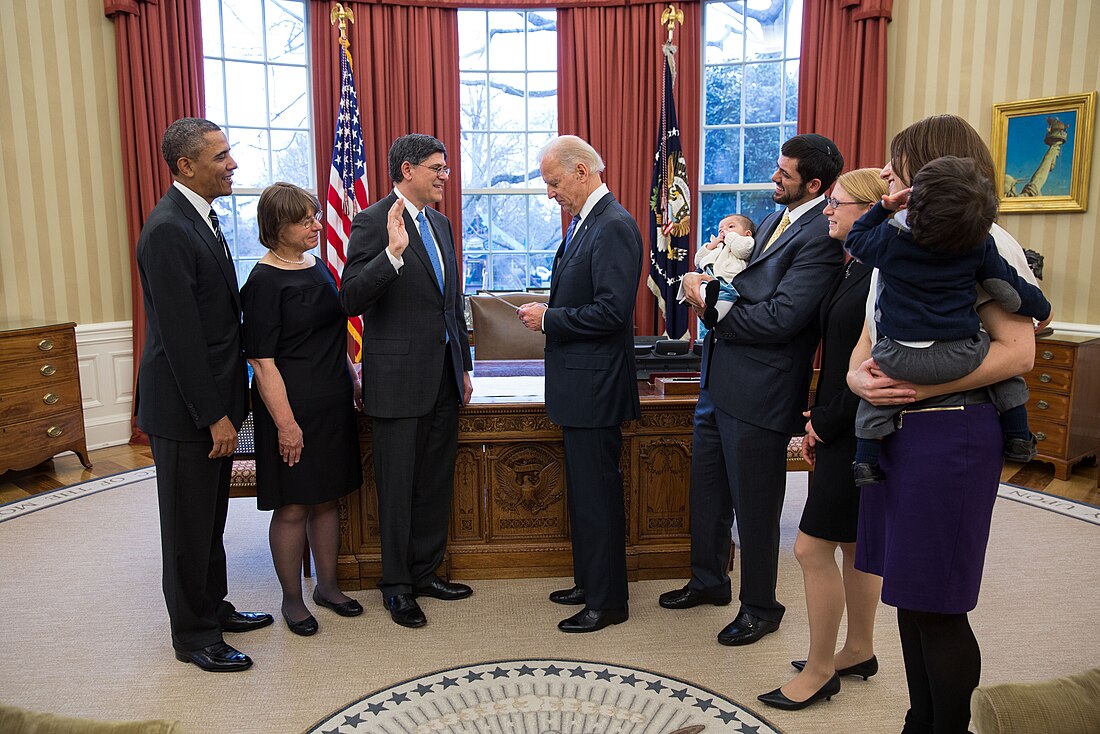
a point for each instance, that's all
(756, 379)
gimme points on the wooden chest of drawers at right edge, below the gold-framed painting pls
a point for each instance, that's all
(1064, 407)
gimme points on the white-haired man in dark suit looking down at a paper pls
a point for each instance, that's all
(591, 381)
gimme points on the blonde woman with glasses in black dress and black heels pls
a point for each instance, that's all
(830, 518)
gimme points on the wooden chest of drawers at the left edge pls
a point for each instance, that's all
(41, 413)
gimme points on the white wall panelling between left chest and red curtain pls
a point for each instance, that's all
(105, 355)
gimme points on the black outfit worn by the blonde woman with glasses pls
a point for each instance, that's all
(832, 510)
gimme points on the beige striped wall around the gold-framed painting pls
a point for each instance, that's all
(965, 57)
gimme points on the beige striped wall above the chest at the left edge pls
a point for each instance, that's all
(63, 238)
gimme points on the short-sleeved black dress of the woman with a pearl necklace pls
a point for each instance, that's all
(295, 317)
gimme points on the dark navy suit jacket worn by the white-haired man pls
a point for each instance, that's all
(591, 380)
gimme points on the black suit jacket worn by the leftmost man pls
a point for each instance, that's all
(192, 370)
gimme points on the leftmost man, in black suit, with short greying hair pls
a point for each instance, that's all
(192, 388)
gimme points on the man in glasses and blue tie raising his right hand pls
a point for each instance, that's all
(403, 276)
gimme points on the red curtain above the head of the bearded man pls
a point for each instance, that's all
(843, 76)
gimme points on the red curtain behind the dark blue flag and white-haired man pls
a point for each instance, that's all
(610, 78)
